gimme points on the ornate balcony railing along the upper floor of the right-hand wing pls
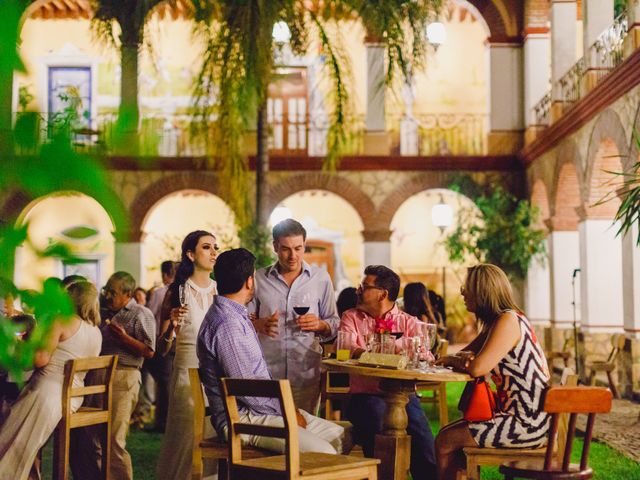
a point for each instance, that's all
(606, 53)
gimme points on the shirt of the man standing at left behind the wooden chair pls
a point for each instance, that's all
(139, 323)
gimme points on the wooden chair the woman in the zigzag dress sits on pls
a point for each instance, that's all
(486, 456)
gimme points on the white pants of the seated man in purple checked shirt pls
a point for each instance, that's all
(320, 435)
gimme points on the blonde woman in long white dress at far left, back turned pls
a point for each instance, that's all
(38, 410)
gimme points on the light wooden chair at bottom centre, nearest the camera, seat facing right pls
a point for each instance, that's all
(293, 464)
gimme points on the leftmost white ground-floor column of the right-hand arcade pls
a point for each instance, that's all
(538, 292)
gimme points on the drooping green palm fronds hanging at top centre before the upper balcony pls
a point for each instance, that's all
(238, 66)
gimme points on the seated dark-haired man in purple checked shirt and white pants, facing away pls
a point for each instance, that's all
(228, 346)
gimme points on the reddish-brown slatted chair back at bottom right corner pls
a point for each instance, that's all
(573, 401)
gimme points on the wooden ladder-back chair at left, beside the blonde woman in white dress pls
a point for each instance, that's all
(85, 415)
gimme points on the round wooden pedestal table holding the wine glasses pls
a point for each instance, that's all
(393, 445)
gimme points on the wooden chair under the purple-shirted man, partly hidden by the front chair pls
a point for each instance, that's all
(213, 448)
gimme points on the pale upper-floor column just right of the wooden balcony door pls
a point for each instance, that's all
(377, 140)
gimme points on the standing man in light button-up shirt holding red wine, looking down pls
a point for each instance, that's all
(291, 341)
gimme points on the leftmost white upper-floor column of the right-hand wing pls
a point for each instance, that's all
(537, 71)
